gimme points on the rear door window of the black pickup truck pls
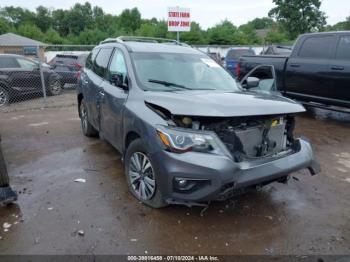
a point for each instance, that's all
(317, 47)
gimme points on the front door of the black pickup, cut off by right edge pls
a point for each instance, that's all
(339, 68)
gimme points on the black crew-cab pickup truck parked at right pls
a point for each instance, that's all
(317, 70)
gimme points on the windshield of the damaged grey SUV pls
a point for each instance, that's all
(169, 72)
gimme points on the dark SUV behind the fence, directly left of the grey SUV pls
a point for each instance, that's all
(68, 66)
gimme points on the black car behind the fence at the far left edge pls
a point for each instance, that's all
(20, 76)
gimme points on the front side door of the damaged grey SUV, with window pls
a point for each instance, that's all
(112, 104)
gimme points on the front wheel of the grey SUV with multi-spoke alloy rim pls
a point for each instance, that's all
(141, 177)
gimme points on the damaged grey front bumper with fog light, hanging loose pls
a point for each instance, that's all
(193, 177)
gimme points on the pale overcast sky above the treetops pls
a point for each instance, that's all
(206, 12)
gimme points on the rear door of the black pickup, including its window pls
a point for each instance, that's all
(307, 75)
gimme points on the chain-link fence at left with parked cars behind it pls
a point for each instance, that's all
(41, 77)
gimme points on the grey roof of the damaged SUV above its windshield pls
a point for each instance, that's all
(156, 47)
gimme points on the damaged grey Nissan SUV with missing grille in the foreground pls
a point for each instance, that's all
(186, 129)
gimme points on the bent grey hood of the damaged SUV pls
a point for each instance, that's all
(220, 104)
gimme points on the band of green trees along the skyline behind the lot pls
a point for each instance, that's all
(86, 24)
